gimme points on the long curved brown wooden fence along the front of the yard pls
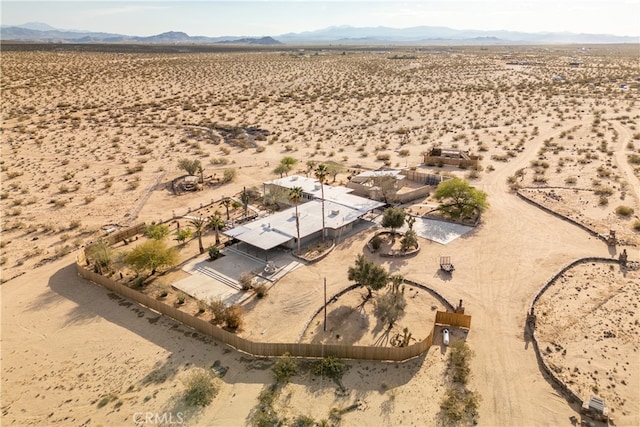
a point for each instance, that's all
(274, 349)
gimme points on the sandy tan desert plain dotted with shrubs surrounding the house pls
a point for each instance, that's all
(92, 139)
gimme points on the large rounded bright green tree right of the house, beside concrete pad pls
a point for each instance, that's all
(459, 199)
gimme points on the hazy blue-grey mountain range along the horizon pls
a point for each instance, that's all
(347, 35)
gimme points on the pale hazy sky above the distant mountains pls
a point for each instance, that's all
(266, 17)
